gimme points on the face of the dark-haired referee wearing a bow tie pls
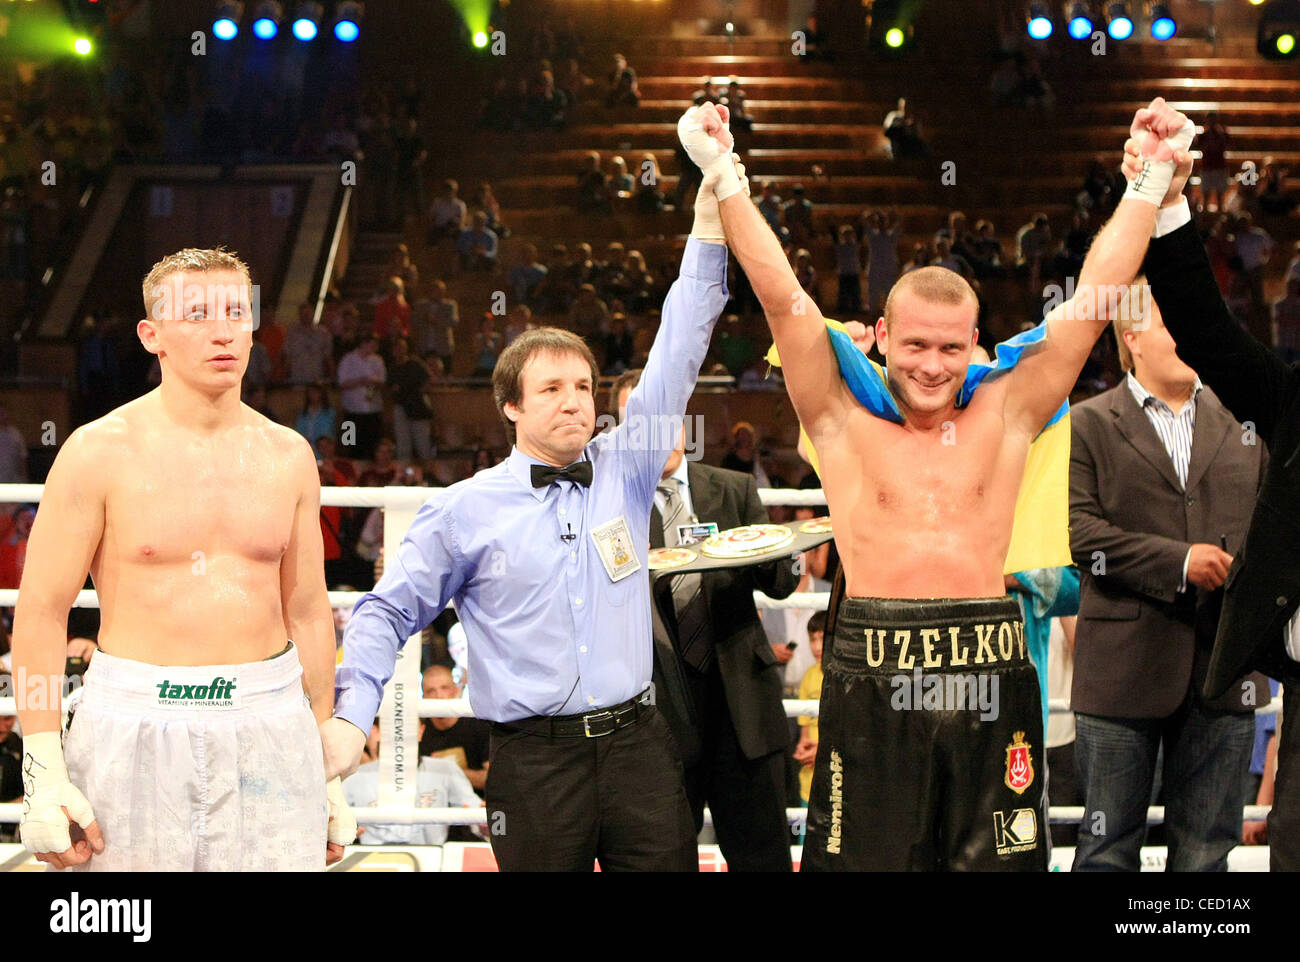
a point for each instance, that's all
(556, 415)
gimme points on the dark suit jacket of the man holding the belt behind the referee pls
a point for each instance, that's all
(752, 677)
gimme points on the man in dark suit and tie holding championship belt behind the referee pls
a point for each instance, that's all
(722, 683)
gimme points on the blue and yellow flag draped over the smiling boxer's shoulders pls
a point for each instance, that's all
(1041, 534)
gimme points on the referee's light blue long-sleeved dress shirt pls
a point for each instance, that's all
(549, 634)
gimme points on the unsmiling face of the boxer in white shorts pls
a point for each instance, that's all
(201, 328)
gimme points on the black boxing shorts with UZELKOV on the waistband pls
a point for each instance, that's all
(931, 742)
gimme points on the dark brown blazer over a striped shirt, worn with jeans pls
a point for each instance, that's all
(1142, 644)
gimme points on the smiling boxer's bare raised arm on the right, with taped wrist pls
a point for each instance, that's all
(1043, 380)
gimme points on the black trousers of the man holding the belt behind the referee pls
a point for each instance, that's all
(747, 796)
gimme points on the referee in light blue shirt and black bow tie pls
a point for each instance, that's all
(545, 558)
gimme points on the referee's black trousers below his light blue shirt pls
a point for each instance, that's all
(564, 804)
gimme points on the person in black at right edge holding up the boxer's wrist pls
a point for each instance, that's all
(1258, 629)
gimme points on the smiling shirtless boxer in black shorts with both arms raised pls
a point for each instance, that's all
(924, 509)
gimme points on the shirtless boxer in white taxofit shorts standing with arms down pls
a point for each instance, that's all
(196, 746)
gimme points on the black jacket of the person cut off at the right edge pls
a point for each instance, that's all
(1263, 393)
